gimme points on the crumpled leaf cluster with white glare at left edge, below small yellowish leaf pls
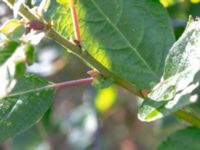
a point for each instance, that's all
(13, 57)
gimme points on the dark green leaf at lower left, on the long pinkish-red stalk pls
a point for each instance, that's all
(25, 106)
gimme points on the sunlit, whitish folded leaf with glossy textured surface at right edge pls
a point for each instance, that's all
(180, 80)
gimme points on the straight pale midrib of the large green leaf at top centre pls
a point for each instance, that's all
(125, 39)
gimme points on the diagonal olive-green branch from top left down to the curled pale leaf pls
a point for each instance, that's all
(25, 12)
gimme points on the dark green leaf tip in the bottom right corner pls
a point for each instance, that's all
(188, 138)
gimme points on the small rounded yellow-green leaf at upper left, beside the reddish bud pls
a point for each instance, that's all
(12, 29)
